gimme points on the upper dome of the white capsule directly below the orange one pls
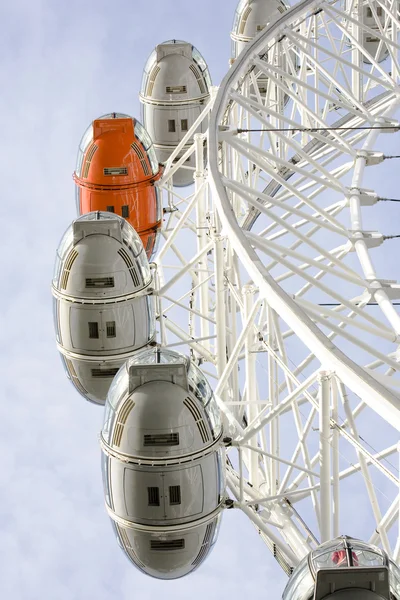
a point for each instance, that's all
(101, 256)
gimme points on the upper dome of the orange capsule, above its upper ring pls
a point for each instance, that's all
(115, 150)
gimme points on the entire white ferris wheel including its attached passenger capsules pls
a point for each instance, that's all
(256, 359)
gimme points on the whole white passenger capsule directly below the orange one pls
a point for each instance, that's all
(101, 311)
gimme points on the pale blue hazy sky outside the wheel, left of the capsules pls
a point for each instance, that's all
(62, 65)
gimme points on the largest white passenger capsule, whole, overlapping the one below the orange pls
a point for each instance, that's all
(163, 463)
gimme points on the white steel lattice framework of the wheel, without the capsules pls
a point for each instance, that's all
(266, 274)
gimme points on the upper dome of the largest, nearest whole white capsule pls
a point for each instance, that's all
(181, 397)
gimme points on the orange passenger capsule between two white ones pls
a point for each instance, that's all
(116, 171)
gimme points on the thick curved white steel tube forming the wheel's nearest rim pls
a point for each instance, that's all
(376, 395)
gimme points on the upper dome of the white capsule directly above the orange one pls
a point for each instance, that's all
(175, 71)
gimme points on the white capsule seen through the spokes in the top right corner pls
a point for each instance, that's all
(372, 15)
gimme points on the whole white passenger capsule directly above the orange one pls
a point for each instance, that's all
(175, 88)
